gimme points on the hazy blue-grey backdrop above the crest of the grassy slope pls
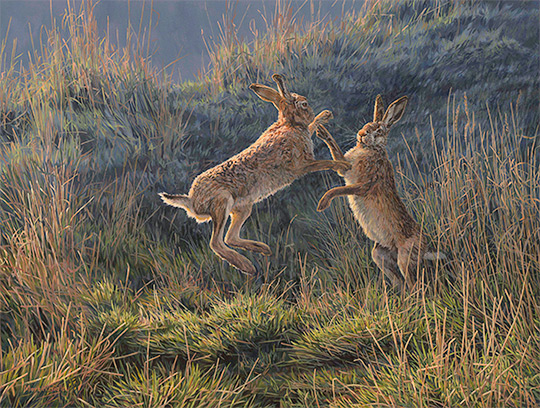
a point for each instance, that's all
(180, 30)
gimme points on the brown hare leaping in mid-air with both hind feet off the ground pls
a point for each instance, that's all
(283, 153)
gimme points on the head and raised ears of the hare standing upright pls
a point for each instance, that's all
(375, 134)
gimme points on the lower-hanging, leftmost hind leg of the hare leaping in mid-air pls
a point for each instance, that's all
(219, 212)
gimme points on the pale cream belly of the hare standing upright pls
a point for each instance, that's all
(372, 221)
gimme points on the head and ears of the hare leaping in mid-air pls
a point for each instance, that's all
(293, 108)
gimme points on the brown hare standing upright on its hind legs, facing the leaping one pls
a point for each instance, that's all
(374, 200)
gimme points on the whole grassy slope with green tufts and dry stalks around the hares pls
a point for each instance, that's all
(106, 297)
